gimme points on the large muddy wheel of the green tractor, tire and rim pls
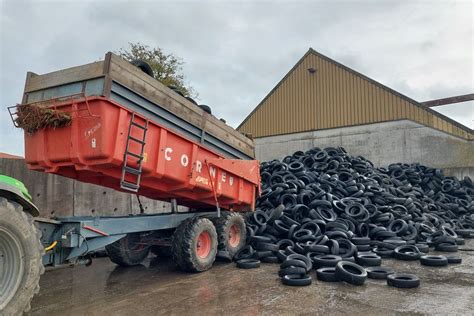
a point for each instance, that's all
(20, 257)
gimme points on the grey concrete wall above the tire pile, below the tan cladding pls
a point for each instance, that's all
(382, 143)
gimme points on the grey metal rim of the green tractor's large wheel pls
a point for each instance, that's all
(11, 265)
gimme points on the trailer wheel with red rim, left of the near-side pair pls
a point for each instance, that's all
(194, 244)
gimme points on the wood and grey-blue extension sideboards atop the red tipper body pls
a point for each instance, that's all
(121, 82)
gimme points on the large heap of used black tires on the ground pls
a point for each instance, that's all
(328, 210)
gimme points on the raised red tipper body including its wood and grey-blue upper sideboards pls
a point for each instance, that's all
(130, 133)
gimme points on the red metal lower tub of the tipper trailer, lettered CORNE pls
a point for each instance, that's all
(109, 145)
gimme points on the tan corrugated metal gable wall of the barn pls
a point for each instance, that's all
(335, 96)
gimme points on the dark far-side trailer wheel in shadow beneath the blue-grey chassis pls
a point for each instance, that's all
(128, 251)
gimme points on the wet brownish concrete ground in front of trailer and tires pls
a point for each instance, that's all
(159, 288)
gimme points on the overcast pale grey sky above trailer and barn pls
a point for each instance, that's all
(236, 52)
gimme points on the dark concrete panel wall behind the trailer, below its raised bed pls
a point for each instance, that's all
(57, 196)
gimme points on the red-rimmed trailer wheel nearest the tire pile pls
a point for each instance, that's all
(231, 232)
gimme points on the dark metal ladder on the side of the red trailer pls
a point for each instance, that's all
(136, 172)
